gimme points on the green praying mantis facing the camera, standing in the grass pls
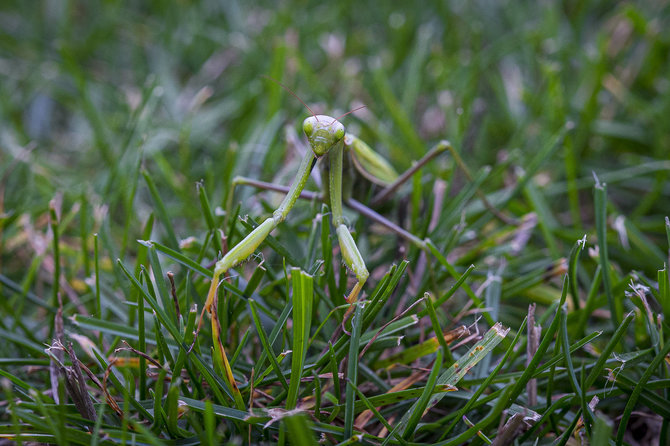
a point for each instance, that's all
(329, 142)
